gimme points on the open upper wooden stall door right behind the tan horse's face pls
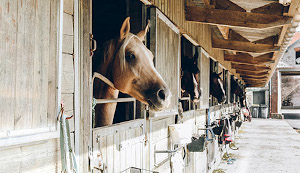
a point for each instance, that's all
(165, 45)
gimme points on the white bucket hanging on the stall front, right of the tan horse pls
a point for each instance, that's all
(181, 133)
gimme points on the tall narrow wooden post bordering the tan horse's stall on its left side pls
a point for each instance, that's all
(85, 78)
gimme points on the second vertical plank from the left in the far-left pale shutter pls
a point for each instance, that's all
(24, 71)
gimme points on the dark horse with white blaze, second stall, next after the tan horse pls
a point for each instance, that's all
(189, 77)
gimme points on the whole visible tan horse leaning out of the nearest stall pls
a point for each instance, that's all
(127, 66)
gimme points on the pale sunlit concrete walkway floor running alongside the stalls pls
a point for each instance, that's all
(265, 146)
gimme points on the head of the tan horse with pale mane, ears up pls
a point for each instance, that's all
(132, 71)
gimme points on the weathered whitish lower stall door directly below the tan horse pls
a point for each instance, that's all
(122, 145)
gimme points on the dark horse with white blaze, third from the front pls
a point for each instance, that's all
(216, 87)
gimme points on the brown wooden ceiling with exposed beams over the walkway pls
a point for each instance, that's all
(249, 31)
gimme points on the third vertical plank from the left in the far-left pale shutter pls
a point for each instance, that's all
(40, 63)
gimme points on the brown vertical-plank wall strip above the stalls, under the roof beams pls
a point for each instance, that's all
(201, 33)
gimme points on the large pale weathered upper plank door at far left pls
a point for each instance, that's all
(28, 70)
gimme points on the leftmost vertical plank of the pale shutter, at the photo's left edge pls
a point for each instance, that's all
(7, 63)
